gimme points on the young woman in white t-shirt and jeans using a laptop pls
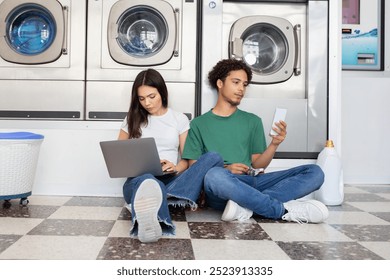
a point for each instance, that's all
(149, 196)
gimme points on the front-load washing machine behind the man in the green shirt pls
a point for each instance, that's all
(285, 45)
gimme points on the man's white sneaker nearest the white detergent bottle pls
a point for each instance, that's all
(308, 211)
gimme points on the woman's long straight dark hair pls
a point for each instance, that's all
(137, 115)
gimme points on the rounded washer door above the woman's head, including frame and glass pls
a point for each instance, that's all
(142, 33)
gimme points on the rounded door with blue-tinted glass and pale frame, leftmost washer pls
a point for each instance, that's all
(31, 32)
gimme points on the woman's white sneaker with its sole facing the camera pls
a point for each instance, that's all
(147, 202)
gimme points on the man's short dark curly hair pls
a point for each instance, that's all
(222, 69)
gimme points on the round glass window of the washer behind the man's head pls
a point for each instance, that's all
(265, 48)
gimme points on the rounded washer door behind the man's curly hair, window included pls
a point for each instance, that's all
(267, 45)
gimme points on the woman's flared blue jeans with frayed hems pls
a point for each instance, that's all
(180, 190)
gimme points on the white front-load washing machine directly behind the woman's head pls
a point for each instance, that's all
(128, 36)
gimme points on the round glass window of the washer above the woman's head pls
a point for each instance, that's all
(142, 31)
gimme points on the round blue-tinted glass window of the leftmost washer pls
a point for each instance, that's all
(31, 29)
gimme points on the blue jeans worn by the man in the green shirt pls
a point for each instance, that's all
(265, 193)
